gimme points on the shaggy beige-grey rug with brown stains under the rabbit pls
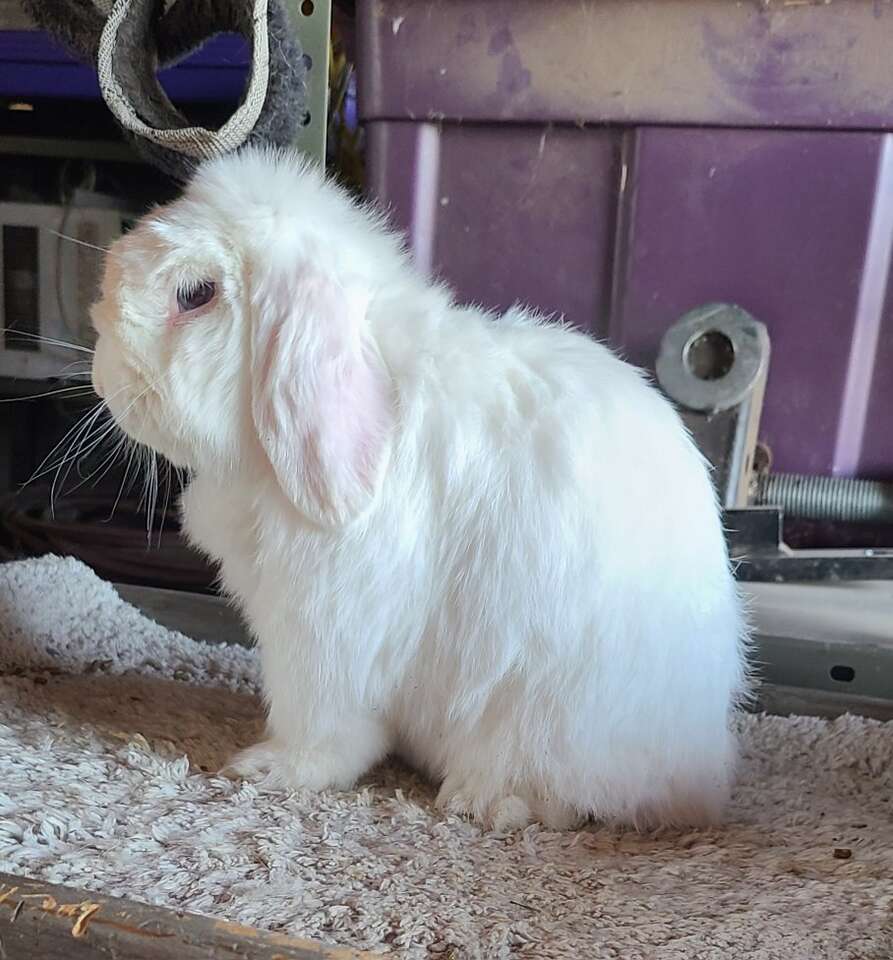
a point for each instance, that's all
(111, 728)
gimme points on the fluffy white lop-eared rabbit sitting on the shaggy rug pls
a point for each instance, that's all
(484, 543)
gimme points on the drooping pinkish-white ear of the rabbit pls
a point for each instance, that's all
(320, 395)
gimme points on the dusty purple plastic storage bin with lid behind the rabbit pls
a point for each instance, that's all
(622, 161)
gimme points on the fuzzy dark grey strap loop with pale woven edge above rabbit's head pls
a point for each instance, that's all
(128, 40)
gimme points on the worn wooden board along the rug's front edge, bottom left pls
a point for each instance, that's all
(60, 923)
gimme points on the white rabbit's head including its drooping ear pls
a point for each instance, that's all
(233, 332)
